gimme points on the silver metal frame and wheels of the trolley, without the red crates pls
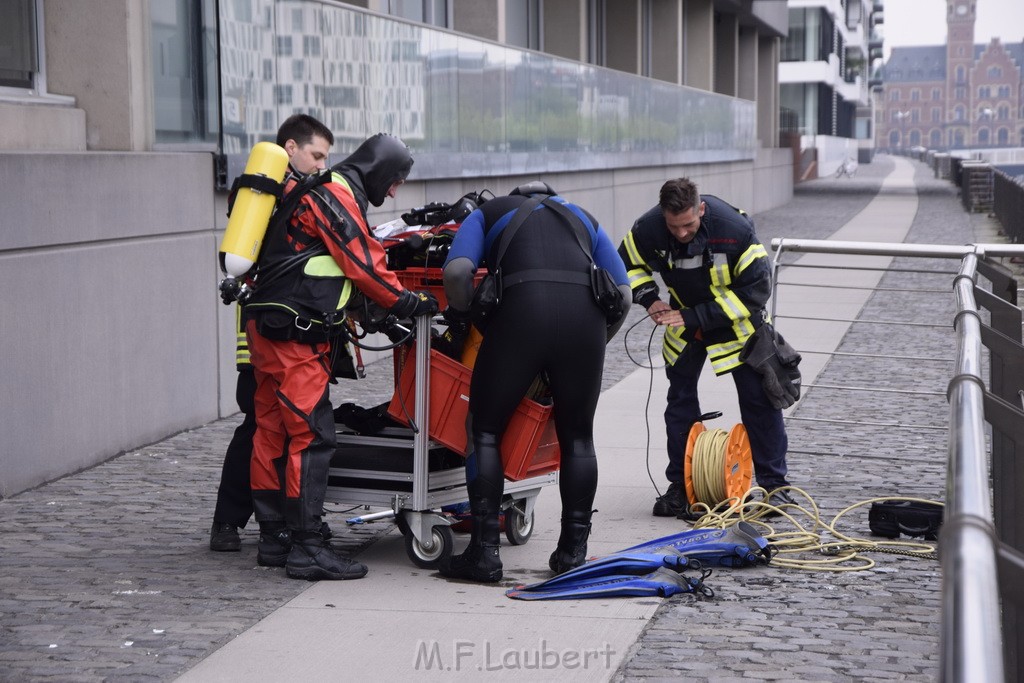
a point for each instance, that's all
(428, 532)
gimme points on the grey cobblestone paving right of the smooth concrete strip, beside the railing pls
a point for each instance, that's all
(882, 624)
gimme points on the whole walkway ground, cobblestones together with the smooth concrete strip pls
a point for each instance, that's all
(106, 576)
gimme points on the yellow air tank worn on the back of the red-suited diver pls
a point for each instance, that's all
(251, 214)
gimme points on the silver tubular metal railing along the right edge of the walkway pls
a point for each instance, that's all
(983, 539)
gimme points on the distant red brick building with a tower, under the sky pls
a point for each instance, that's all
(956, 96)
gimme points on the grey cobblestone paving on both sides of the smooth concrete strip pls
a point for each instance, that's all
(106, 576)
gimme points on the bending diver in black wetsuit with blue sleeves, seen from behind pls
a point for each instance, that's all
(542, 325)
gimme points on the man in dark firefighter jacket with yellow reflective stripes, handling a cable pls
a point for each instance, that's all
(719, 280)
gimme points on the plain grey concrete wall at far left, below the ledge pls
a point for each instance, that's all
(109, 310)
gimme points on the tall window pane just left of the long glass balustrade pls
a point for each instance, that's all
(185, 72)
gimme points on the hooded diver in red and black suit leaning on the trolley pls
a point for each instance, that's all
(308, 270)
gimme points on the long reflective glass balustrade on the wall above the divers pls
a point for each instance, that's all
(465, 106)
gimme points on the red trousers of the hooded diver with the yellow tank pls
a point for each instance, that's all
(295, 432)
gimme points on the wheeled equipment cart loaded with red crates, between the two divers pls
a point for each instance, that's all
(413, 477)
